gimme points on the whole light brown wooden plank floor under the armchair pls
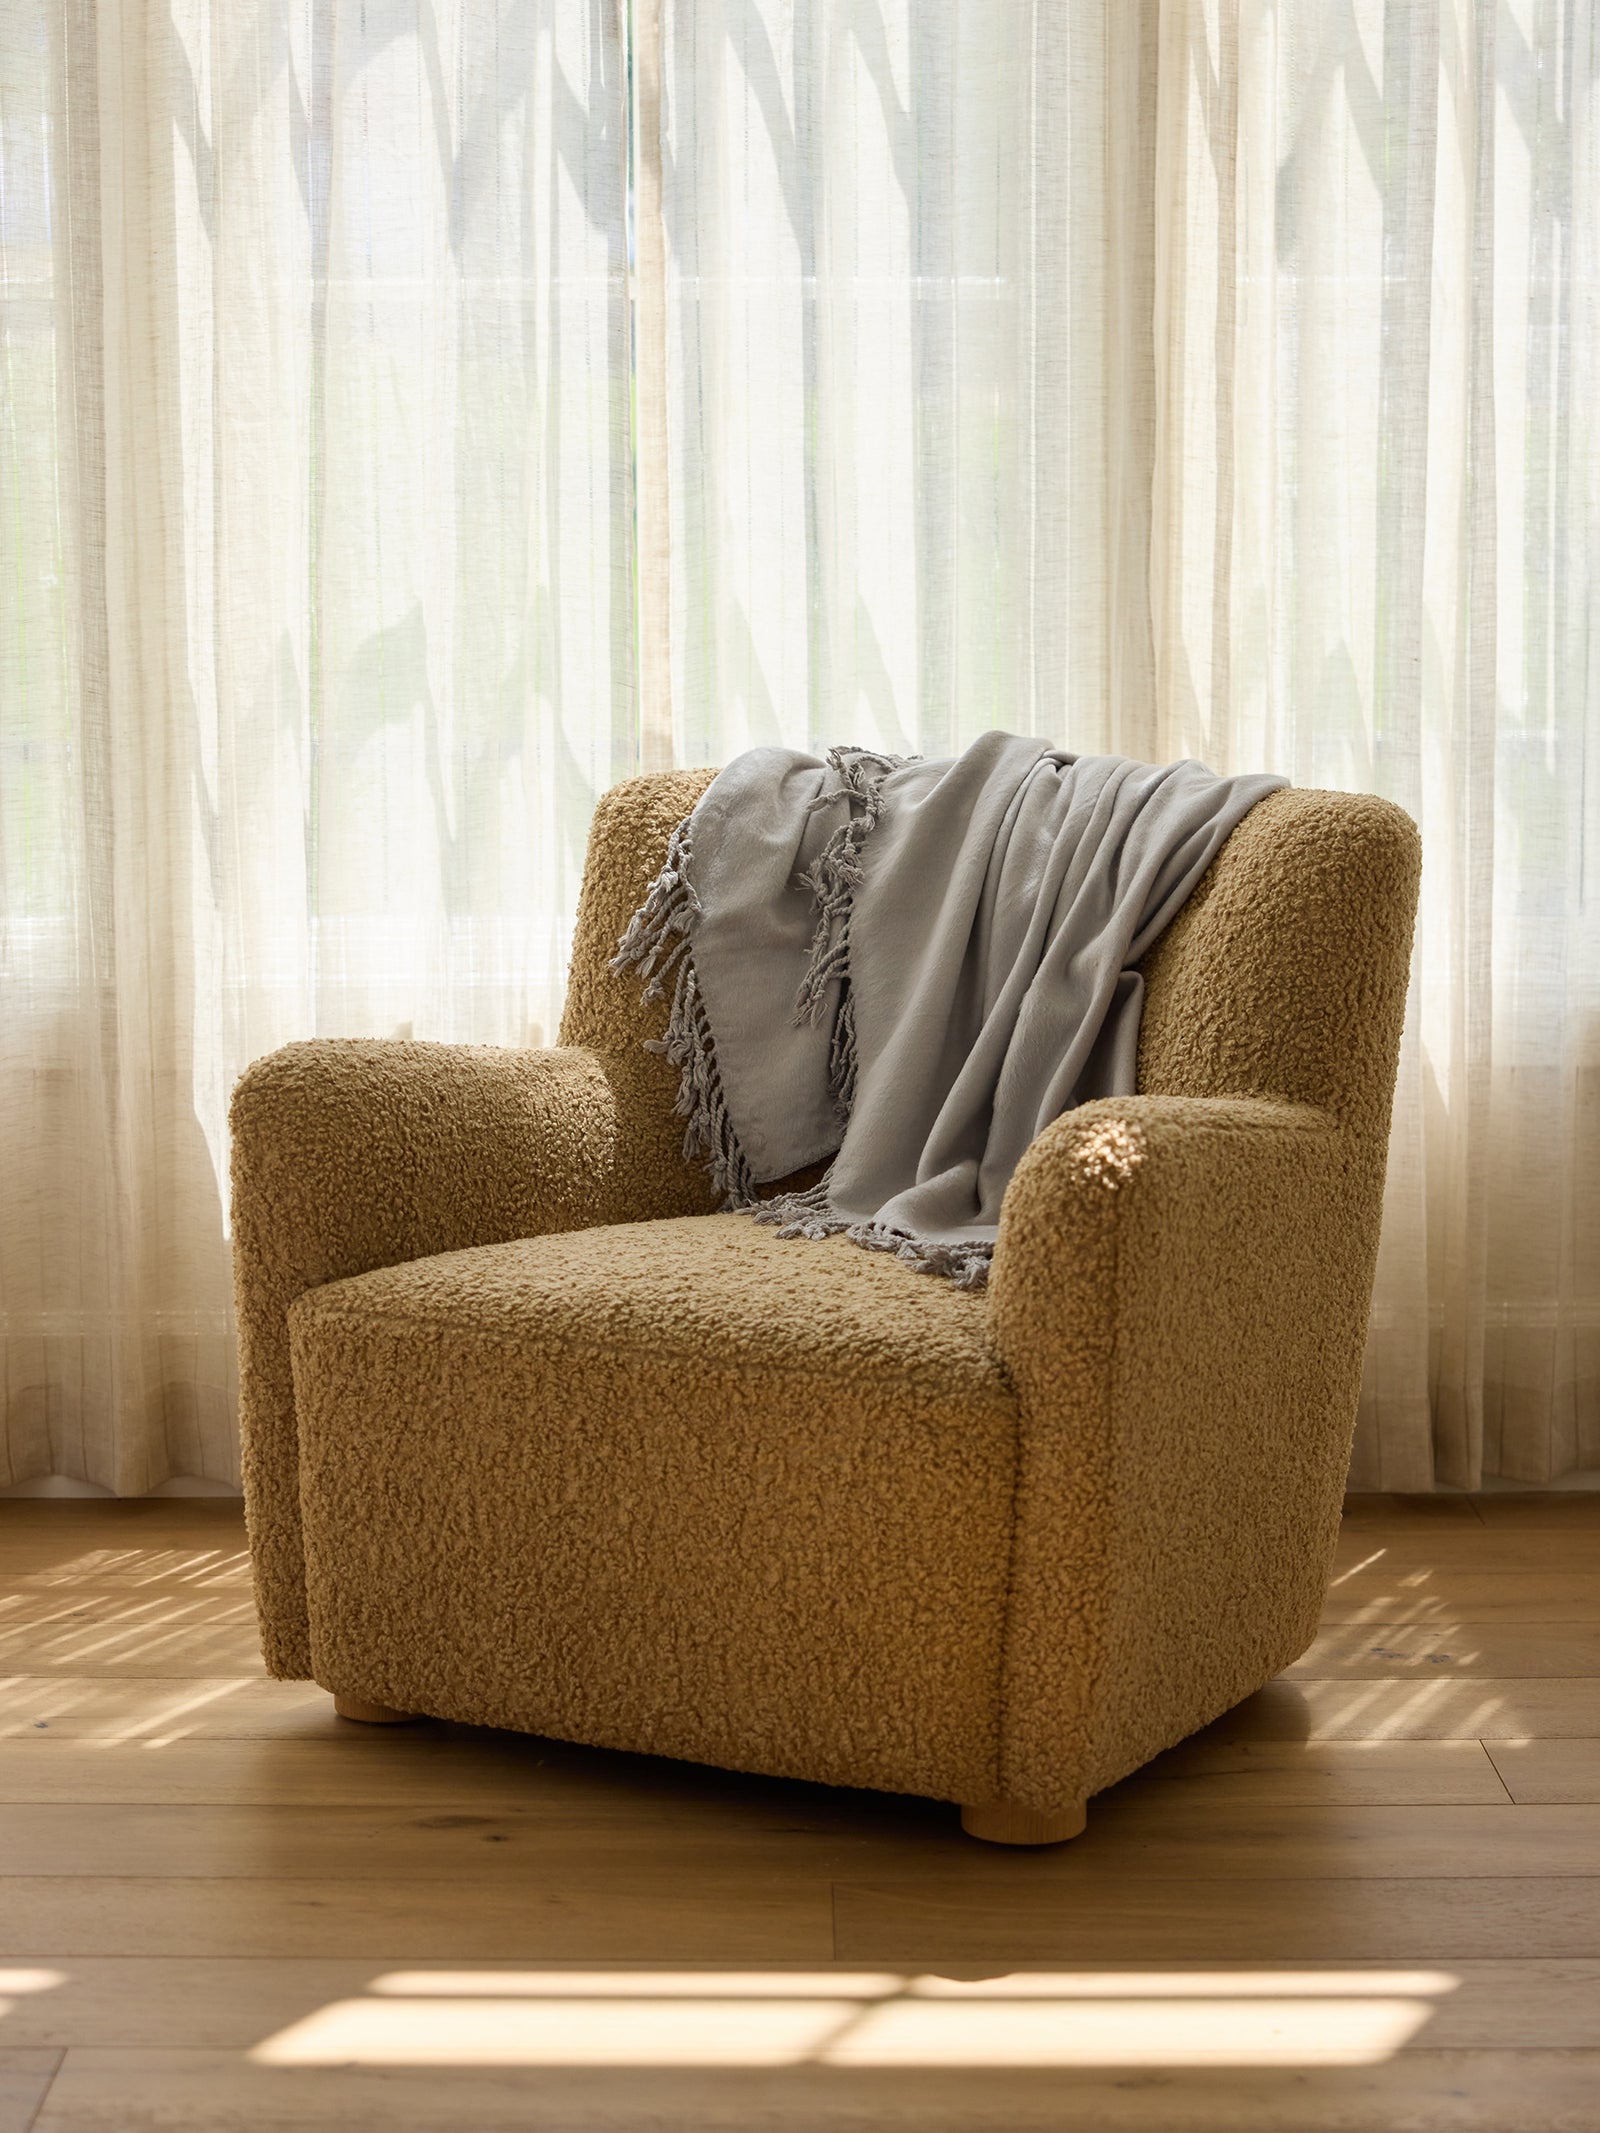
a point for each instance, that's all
(1366, 1902)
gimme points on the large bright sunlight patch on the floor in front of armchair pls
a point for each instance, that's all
(780, 2019)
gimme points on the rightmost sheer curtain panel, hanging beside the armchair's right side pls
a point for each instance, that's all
(1379, 566)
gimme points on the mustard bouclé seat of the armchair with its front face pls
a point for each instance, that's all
(671, 1486)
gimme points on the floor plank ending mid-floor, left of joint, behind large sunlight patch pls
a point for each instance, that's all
(647, 1914)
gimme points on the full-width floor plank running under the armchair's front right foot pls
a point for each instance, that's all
(1130, 1833)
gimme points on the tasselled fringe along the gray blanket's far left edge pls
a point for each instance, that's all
(658, 944)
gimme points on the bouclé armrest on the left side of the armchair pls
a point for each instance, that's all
(351, 1157)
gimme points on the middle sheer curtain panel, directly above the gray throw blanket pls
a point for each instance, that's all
(910, 372)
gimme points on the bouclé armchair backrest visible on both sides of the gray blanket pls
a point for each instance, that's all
(1285, 974)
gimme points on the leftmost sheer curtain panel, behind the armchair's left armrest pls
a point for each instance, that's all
(315, 620)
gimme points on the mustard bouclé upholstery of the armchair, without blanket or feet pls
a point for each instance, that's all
(534, 1439)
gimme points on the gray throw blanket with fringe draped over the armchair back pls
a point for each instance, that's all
(910, 969)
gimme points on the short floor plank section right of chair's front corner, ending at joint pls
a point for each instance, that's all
(1309, 1774)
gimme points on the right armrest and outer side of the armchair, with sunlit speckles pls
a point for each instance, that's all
(1181, 1296)
